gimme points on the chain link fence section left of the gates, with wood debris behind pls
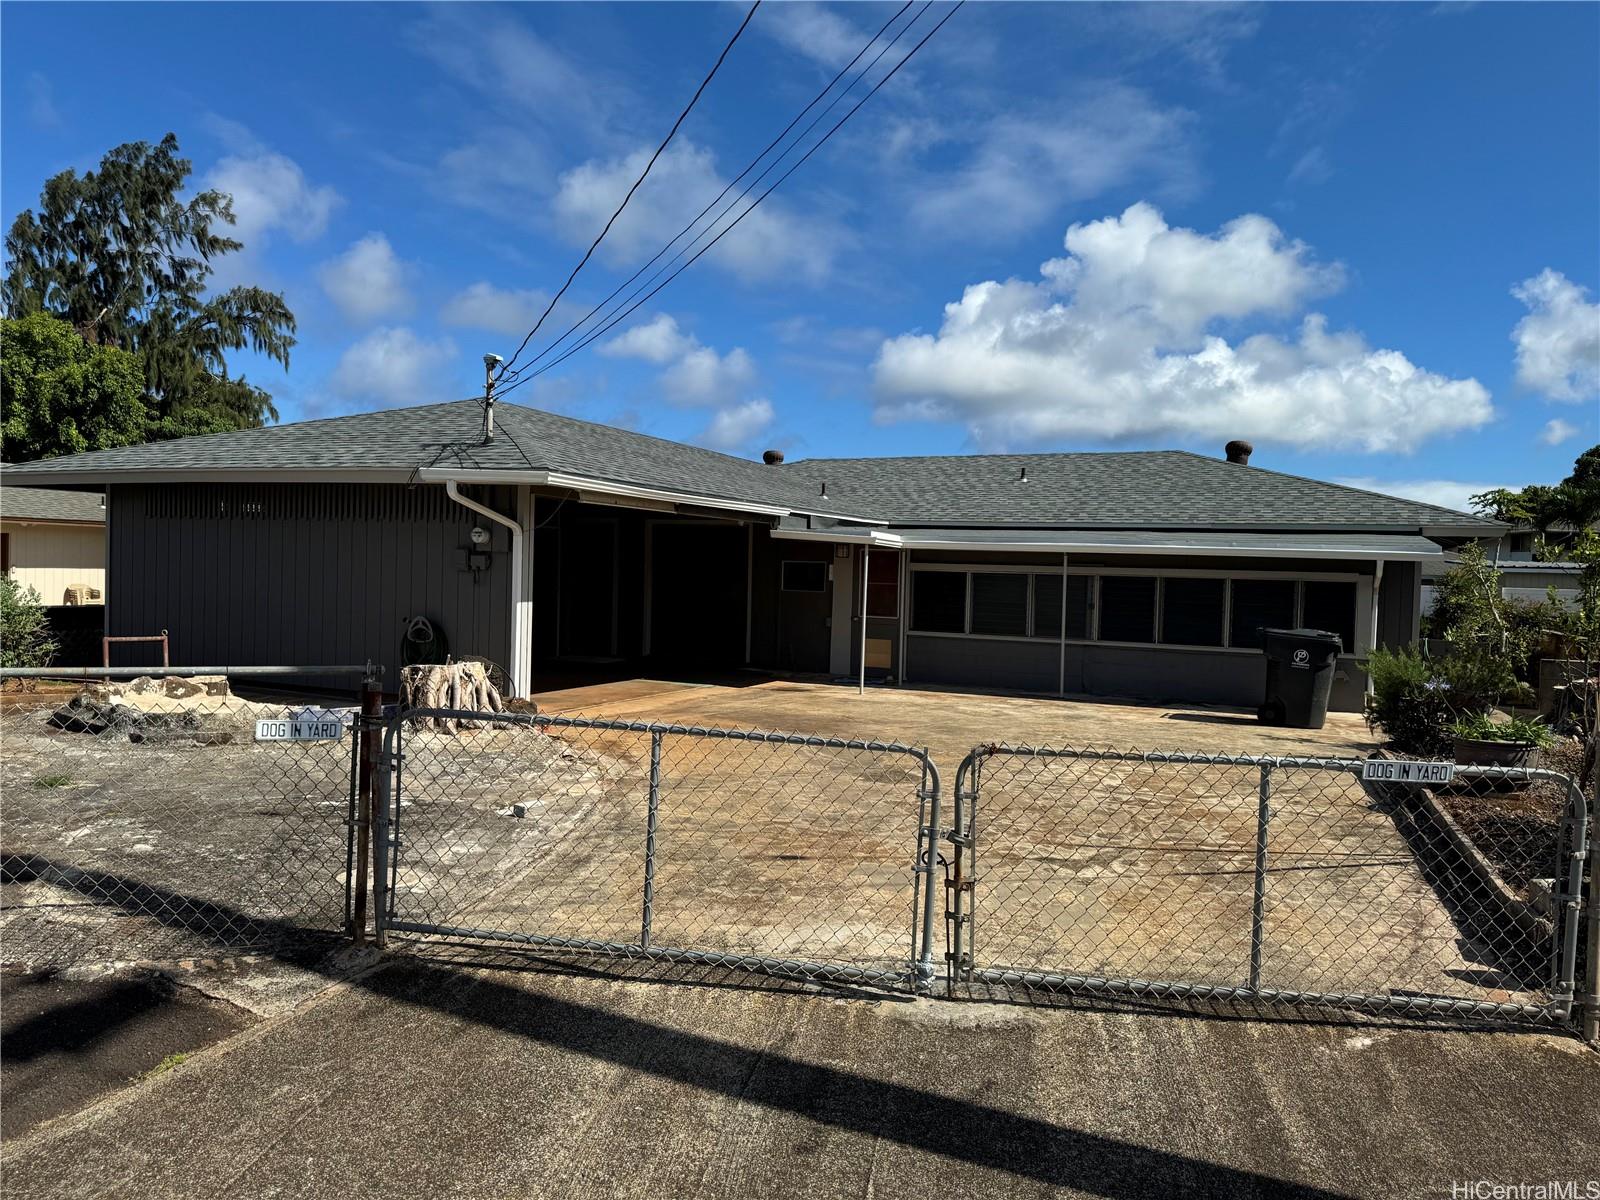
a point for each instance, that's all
(174, 815)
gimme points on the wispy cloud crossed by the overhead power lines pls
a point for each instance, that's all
(772, 242)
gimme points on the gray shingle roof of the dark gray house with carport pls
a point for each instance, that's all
(1150, 490)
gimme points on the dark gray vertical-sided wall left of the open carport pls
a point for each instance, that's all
(287, 575)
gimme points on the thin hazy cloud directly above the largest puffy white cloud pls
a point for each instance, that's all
(1026, 167)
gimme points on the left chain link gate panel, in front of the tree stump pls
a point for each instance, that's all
(775, 854)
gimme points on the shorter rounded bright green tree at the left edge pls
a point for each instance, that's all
(62, 396)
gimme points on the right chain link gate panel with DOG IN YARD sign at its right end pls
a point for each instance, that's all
(1270, 882)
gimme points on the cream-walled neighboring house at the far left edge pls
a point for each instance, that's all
(55, 543)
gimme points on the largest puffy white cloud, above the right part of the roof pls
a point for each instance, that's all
(1116, 343)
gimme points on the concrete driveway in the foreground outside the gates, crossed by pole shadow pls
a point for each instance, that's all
(428, 1079)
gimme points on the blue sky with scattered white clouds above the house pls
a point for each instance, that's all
(1362, 238)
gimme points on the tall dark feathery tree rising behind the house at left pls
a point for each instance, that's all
(121, 257)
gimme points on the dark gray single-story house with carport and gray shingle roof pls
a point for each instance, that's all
(554, 545)
